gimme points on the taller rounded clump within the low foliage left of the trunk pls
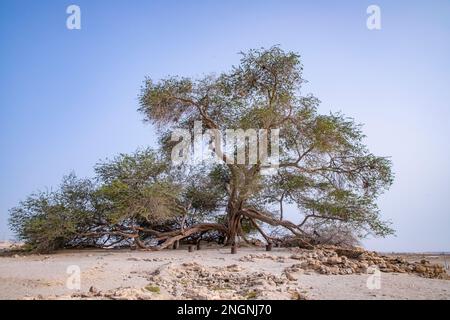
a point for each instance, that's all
(137, 186)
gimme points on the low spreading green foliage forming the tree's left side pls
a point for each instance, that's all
(132, 191)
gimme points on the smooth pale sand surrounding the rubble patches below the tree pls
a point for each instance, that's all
(46, 276)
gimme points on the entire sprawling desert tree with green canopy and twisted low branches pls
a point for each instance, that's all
(147, 200)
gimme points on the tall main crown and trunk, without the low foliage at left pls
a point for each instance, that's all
(325, 169)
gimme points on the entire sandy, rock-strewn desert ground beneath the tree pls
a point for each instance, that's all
(213, 273)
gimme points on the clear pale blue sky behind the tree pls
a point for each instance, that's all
(69, 97)
